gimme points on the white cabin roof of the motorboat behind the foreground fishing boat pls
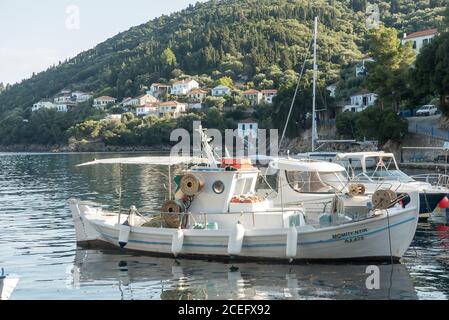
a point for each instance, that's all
(306, 165)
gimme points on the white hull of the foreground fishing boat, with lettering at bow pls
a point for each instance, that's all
(377, 238)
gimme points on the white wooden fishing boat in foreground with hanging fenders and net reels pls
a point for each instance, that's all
(216, 213)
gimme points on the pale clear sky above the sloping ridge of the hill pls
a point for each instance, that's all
(37, 34)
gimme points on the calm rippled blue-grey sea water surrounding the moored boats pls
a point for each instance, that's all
(37, 243)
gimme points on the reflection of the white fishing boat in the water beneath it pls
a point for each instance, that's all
(143, 277)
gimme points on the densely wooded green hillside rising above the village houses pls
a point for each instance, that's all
(236, 38)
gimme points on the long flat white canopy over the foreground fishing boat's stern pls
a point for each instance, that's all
(155, 161)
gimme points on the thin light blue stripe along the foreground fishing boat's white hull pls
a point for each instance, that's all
(258, 245)
